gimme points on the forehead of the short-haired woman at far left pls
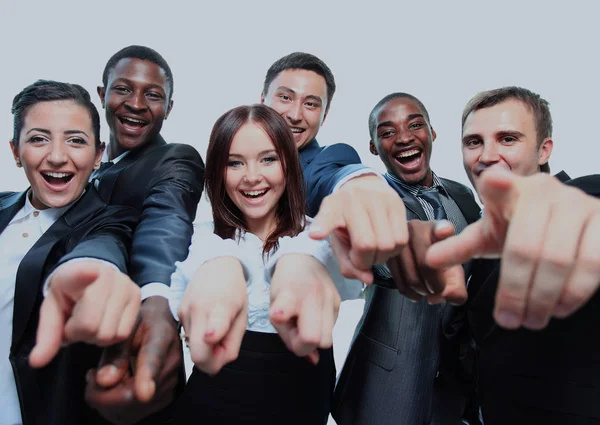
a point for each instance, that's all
(59, 114)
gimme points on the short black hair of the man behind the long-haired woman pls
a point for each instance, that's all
(306, 61)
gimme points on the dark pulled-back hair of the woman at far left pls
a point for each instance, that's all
(48, 91)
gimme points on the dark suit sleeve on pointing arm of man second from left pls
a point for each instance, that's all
(164, 231)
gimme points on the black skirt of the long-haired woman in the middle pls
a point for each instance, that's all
(267, 384)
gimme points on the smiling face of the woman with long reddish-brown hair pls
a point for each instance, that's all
(254, 178)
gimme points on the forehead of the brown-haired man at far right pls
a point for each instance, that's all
(510, 115)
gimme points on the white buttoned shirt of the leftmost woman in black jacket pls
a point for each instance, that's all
(23, 231)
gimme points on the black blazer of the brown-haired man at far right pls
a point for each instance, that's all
(550, 376)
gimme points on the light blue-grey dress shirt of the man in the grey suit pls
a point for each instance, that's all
(452, 210)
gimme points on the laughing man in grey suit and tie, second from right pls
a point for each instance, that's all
(393, 374)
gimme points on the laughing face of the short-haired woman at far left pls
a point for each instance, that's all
(57, 150)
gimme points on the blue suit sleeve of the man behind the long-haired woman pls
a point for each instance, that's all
(330, 166)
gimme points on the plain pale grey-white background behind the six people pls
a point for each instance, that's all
(442, 52)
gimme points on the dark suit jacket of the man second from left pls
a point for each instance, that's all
(163, 182)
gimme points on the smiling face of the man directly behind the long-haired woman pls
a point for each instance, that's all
(300, 97)
